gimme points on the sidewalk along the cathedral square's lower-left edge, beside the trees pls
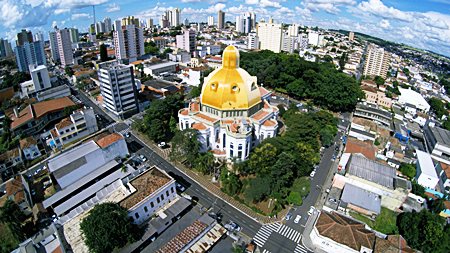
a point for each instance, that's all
(210, 187)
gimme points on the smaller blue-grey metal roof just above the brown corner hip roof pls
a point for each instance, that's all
(361, 198)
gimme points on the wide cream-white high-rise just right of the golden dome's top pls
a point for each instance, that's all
(270, 36)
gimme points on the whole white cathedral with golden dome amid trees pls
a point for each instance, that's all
(233, 113)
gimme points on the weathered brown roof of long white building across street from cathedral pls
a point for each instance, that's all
(145, 184)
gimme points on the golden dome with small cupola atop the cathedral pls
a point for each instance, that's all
(230, 87)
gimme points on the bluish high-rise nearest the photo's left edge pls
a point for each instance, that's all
(28, 51)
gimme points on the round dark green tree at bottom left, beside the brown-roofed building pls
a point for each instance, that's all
(108, 227)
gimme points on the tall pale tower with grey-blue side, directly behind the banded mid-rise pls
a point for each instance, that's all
(128, 41)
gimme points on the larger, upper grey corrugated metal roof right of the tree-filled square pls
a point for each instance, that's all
(371, 171)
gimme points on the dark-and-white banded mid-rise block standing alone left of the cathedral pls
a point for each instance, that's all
(118, 89)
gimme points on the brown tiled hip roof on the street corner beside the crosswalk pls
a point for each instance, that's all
(344, 230)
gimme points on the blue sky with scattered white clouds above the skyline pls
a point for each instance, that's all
(421, 23)
